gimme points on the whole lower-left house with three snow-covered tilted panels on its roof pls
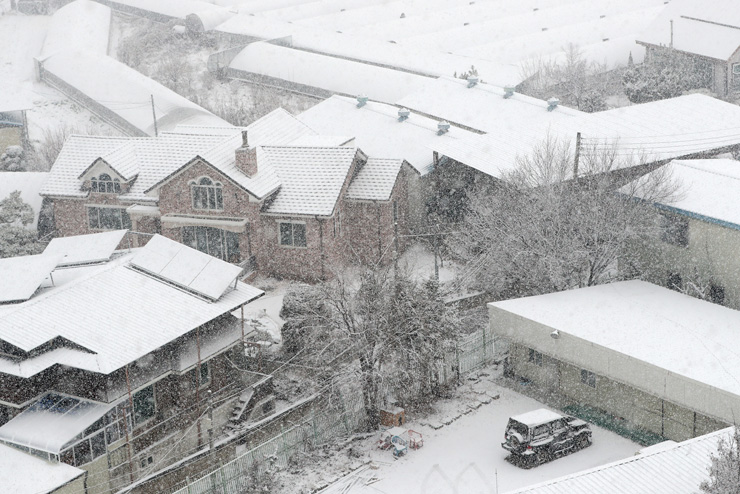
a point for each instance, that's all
(85, 381)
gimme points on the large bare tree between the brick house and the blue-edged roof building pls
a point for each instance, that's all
(540, 230)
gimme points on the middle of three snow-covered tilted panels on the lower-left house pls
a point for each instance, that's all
(85, 249)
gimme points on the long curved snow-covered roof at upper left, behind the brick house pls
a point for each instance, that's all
(126, 92)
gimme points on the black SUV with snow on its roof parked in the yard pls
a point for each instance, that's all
(541, 435)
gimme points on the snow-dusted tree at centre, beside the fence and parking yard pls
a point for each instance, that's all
(380, 332)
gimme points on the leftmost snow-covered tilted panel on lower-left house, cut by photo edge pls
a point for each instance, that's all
(21, 276)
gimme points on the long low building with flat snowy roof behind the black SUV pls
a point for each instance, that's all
(662, 361)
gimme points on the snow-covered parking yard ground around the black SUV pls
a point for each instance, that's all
(466, 457)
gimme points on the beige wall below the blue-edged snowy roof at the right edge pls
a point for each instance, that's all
(711, 256)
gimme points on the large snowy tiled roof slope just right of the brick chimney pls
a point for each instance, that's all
(311, 177)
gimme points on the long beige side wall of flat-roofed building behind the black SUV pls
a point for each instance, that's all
(644, 394)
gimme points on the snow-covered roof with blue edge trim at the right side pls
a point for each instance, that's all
(709, 189)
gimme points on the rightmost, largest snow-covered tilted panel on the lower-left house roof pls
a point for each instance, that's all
(185, 267)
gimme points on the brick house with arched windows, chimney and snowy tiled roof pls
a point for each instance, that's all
(274, 195)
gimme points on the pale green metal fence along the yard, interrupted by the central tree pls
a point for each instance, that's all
(471, 353)
